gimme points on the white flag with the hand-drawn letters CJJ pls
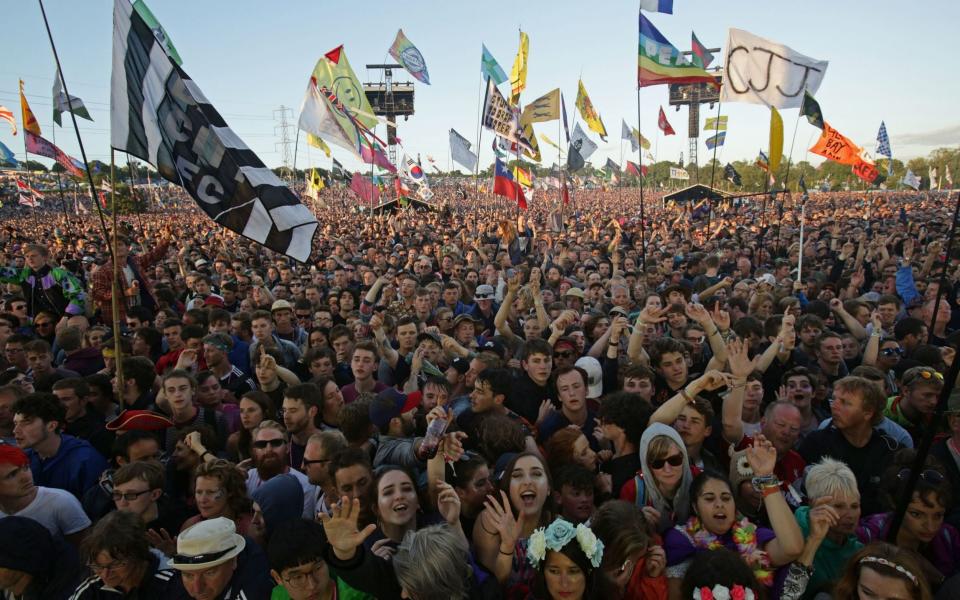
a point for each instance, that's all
(785, 73)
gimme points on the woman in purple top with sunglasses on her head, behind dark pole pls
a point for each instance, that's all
(923, 530)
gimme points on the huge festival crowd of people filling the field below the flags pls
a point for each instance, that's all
(475, 402)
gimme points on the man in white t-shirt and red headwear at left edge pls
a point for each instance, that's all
(57, 510)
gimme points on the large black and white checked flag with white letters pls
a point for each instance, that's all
(159, 115)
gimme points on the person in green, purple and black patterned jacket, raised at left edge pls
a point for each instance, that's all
(45, 287)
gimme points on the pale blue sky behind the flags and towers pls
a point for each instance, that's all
(887, 62)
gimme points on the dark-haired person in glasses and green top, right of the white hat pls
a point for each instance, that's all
(296, 555)
